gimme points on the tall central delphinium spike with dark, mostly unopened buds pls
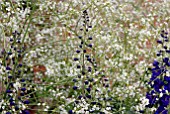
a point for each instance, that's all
(91, 86)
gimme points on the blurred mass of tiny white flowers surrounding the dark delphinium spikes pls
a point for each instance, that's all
(123, 32)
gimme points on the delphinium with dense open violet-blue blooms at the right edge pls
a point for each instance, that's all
(159, 83)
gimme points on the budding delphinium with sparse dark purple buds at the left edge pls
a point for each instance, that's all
(15, 90)
